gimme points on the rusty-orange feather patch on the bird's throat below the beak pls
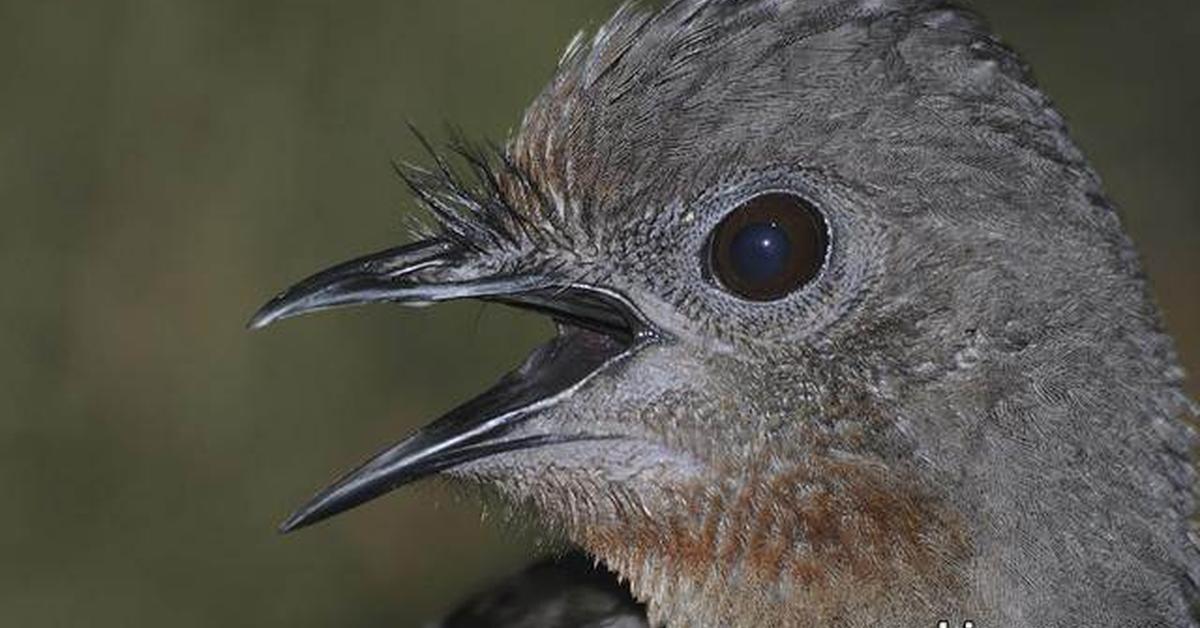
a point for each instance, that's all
(826, 541)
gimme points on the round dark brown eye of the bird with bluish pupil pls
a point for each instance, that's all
(769, 248)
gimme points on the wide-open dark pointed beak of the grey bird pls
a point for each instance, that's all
(597, 327)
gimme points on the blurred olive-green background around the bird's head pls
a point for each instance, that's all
(166, 166)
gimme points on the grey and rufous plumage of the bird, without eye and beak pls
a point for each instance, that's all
(973, 414)
